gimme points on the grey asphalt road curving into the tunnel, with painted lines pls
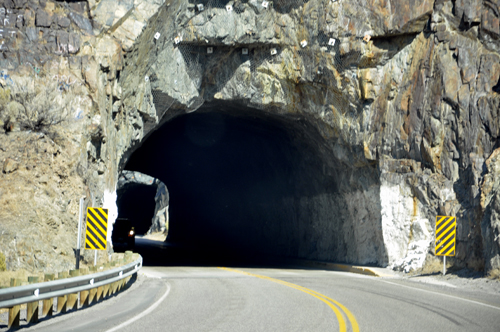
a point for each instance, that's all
(203, 297)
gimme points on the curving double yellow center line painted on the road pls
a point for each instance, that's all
(337, 307)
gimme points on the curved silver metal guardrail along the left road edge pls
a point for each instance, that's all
(14, 296)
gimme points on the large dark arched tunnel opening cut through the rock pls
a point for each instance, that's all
(252, 184)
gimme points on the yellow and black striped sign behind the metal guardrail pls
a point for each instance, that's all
(97, 228)
